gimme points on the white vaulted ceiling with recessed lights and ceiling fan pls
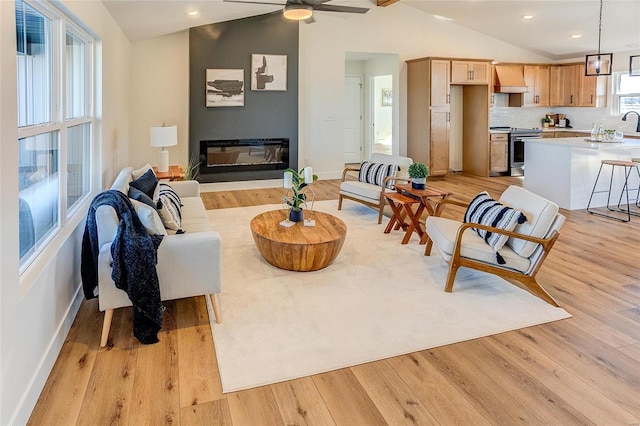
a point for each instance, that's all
(548, 33)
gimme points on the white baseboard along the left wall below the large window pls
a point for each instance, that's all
(30, 397)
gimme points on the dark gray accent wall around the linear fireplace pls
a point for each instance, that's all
(265, 114)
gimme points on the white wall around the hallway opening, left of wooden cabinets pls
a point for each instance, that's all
(399, 29)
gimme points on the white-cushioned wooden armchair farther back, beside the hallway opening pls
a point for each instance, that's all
(368, 193)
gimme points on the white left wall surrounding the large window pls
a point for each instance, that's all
(37, 308)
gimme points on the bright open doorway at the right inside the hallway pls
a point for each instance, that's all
(382, 114)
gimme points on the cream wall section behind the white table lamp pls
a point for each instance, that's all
(160, 70)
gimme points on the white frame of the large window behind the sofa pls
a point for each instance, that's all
(61, 25)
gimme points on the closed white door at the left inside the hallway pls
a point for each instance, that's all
(353, 135)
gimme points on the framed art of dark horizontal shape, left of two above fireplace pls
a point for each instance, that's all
(225, 87)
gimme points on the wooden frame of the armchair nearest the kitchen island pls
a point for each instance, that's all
(528, 280)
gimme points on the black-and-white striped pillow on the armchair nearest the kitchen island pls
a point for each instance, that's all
(486, 211)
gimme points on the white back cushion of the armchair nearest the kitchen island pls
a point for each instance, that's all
(540, 212)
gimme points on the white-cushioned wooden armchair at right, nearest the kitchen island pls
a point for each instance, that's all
(527, 247)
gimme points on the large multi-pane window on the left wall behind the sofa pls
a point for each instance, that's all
(55, 122)
